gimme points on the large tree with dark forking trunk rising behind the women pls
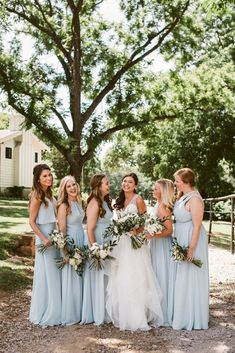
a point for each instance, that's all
(97, 62)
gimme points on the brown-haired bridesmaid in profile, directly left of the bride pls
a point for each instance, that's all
(99, 214)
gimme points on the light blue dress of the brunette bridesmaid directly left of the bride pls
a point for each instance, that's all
(95, 281)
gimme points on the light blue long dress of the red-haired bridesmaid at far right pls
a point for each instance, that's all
(188, 301)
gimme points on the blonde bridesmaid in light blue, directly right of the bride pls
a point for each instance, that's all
(160, 243)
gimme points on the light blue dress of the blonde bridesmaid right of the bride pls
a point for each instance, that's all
(160, 256)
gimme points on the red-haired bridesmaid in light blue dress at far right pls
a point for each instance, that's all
(189, 285)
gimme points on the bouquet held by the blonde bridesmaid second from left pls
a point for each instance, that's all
(77, 259)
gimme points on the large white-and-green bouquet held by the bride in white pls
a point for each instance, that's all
(124, 223)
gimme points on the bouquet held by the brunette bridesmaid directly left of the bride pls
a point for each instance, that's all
(99, 253)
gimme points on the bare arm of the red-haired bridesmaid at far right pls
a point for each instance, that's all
(197, 209)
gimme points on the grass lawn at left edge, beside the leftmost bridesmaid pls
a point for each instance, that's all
(13, 221)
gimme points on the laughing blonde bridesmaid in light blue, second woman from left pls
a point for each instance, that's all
(70, 217)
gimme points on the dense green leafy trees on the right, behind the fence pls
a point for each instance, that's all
(201, 91)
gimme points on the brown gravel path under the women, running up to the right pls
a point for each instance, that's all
(17, 335)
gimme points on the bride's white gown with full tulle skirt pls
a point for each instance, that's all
(133, 293)
